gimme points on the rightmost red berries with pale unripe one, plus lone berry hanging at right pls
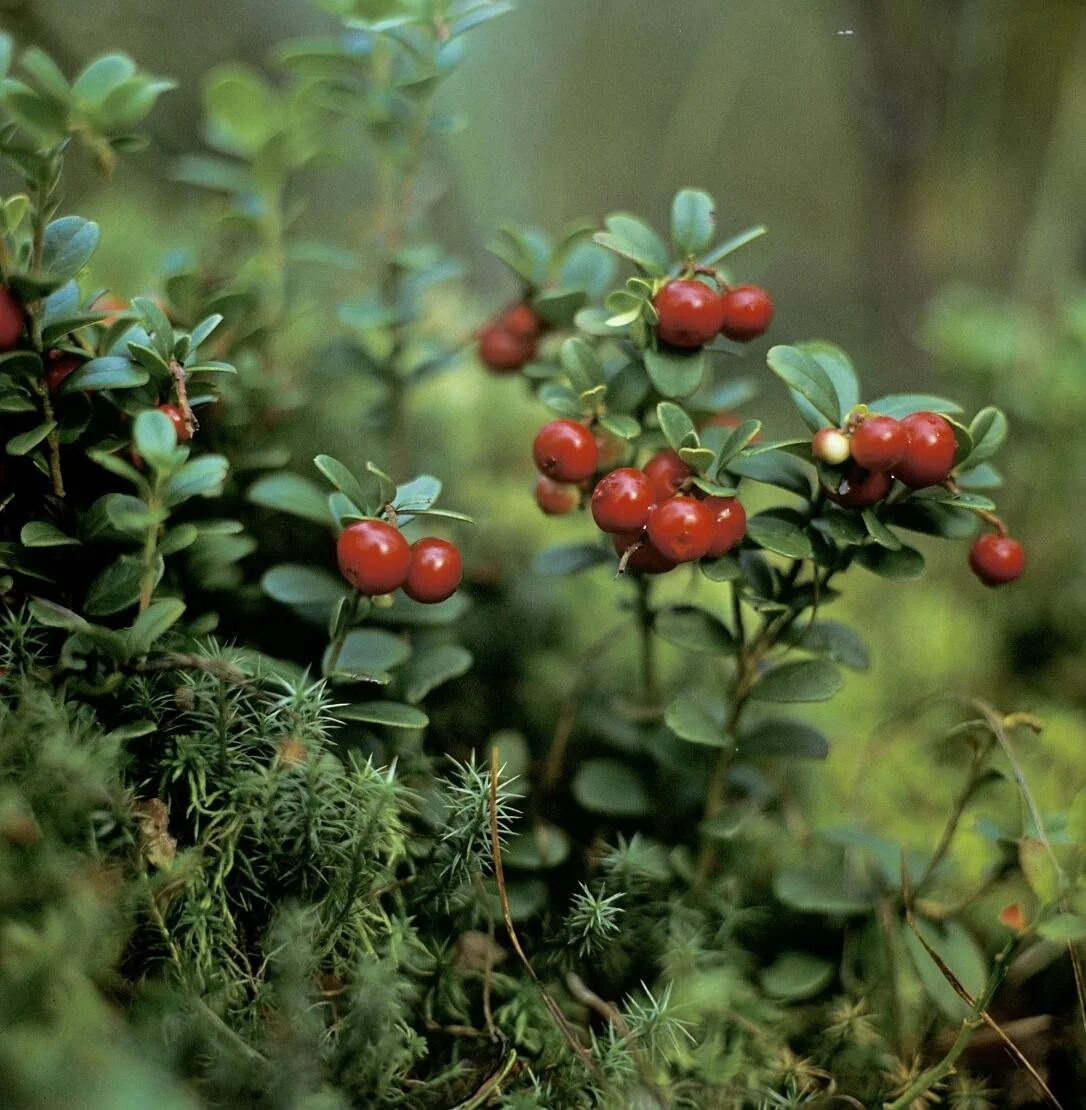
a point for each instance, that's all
(873, 450)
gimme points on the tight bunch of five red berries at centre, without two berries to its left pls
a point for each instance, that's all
(648, 512)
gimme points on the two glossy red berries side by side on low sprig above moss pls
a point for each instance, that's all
(376, 559)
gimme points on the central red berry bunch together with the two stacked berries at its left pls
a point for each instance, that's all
(657, 517)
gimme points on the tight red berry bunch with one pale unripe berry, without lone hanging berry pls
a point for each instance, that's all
(918, 450)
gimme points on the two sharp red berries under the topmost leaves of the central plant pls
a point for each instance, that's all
(692, 314)
